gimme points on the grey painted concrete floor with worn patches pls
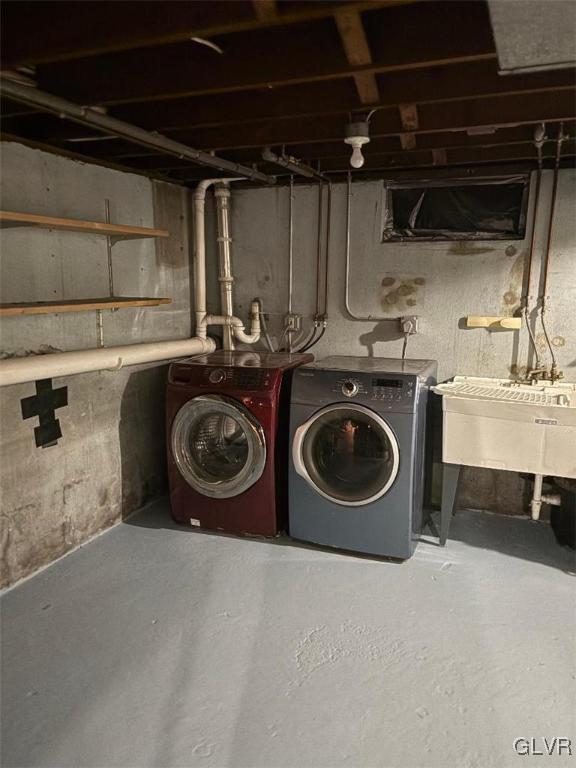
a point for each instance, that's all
(158, 646)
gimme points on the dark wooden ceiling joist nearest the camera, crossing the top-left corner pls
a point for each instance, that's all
(118, 26)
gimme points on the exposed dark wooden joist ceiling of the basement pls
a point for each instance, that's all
(290, 74)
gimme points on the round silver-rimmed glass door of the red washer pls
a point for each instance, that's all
(218, 446)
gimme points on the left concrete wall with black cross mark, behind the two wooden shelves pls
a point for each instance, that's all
(111, 458)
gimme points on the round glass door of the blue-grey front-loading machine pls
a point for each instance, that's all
(347, 453)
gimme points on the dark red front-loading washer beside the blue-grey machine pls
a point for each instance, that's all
(227, 433)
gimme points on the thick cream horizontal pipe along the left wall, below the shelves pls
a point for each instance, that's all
(22, 369)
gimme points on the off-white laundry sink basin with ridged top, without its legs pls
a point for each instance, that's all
(502, 424)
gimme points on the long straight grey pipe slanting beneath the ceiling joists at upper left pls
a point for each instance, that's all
(113, 127)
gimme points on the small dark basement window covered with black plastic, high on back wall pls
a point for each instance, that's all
(457, 209)
